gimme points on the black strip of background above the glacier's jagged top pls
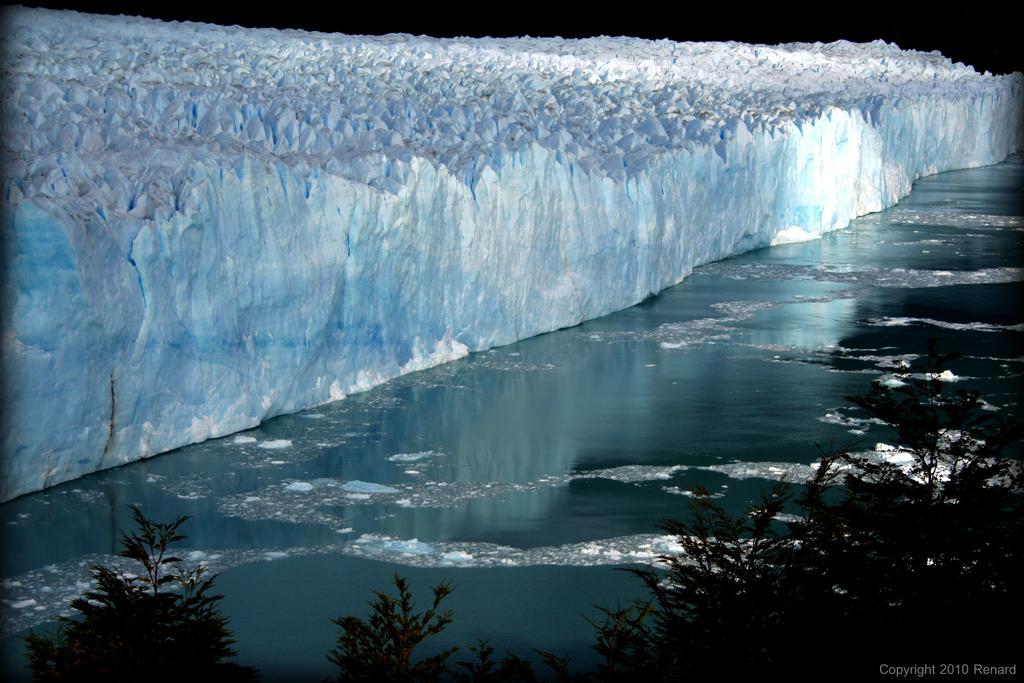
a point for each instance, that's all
(979, 34)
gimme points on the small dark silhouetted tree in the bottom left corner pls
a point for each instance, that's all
(161, 625)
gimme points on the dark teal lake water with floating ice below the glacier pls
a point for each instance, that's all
(527, 475)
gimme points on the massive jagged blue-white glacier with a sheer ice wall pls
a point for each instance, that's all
(207, 227)
